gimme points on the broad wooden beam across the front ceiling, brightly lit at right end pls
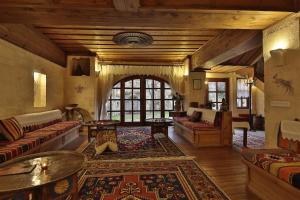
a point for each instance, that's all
(173, 18)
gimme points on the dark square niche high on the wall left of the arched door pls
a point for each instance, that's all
(80, 67)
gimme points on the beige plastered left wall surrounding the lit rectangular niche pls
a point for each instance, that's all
(16, 81)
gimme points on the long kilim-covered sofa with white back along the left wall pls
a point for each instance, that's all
(35, 132)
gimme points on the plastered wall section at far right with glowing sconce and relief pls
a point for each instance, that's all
(279, 103)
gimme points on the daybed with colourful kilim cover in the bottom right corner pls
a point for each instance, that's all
(275, 173)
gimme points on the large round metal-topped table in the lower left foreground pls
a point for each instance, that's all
(24, 178)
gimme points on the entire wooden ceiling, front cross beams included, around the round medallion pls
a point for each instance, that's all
(179, 28)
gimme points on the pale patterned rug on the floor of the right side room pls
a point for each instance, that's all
(255, 140)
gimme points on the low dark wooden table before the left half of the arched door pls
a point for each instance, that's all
(100, 124)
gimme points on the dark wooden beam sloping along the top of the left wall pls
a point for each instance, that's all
(32, 40)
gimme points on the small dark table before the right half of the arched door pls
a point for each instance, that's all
(159, 125)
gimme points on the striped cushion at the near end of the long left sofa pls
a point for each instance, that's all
(11, 129)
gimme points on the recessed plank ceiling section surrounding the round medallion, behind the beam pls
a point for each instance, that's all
(169, 44)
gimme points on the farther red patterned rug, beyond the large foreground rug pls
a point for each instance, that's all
(135, 142)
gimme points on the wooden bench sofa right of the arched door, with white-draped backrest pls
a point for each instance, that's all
(205, 127)
